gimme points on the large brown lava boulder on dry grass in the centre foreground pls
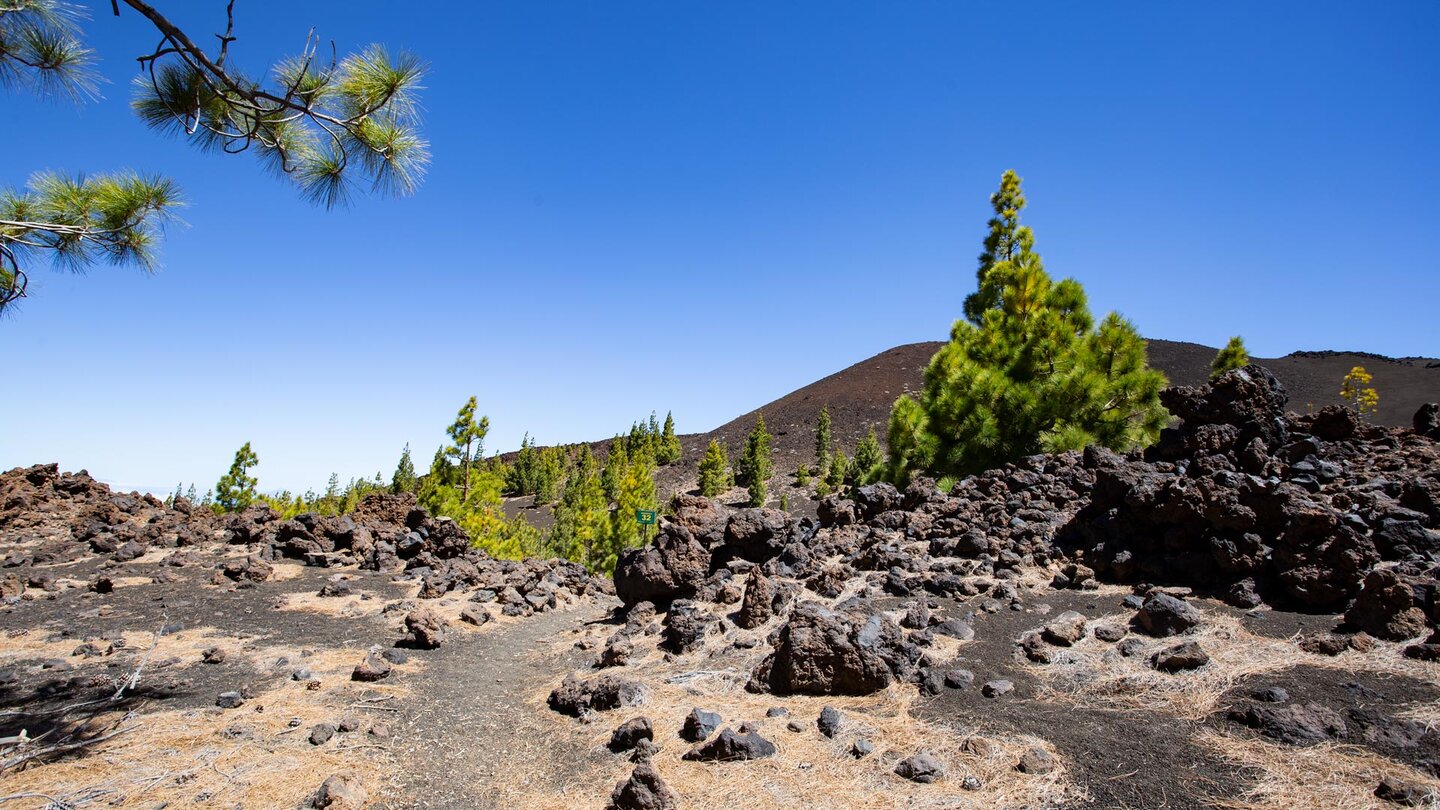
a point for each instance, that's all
(822, 652)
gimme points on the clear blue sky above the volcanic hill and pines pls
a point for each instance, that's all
(701, 207)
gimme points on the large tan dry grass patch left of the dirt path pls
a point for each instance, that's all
(188, 757)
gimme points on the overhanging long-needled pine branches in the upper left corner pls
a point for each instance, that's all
(315, 119)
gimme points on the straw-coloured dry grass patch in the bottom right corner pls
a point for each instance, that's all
(1328, 776)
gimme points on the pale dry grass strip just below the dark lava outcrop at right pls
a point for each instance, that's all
(1098, 677)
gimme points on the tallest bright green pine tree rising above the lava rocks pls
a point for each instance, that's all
(1027, 373)
